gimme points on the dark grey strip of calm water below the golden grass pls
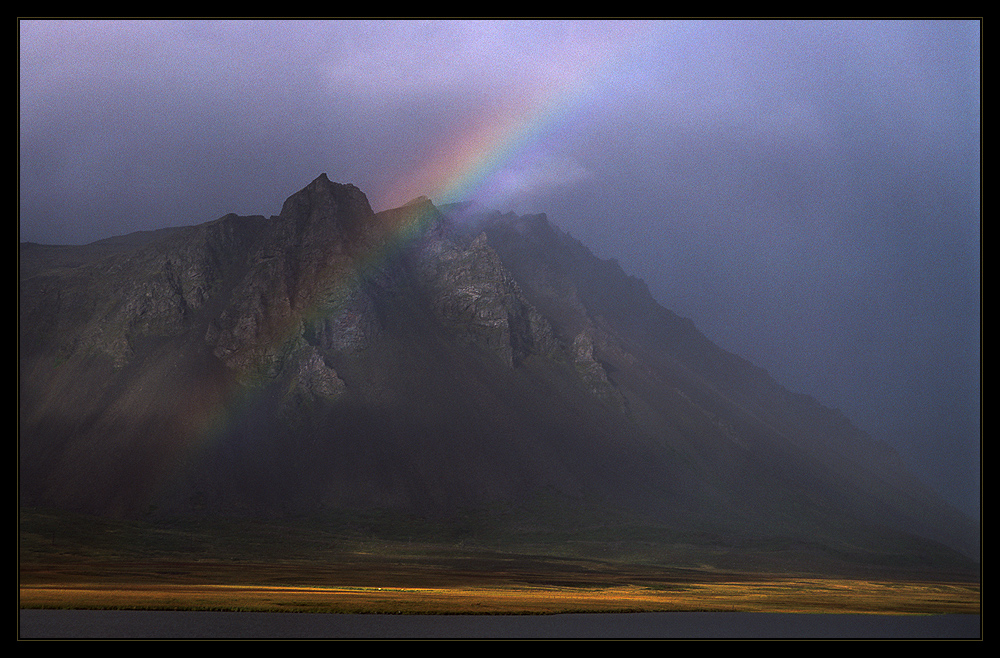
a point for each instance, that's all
(106, 624)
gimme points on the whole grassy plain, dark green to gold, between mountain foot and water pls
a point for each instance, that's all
(84, 563)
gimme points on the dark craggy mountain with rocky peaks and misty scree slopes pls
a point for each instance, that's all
(426, 361)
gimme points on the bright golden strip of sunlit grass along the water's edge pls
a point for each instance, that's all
(778, 595)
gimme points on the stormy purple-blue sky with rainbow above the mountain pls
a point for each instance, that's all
(808, 193)
